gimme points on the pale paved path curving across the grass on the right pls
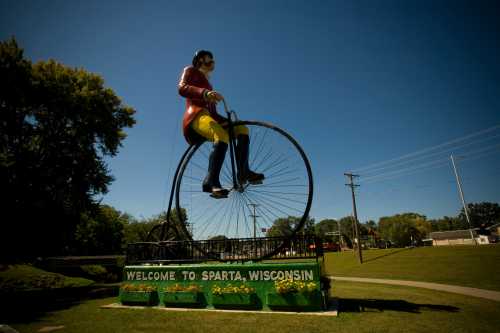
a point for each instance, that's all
(475, 292)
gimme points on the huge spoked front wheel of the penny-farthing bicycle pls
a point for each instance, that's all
(277, 207)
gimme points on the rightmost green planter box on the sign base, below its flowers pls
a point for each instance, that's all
(295, 301)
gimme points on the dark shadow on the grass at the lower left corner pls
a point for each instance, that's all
(29, 306)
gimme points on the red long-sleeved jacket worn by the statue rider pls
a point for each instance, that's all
(192, 86)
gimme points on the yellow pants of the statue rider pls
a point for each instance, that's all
(211, 130)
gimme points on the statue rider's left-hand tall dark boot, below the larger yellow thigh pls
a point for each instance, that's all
(211, 184)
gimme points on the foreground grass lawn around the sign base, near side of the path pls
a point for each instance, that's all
(364, 308)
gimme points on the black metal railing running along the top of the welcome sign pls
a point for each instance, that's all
(239, 249)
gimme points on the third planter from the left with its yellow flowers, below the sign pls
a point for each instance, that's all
(234, 297)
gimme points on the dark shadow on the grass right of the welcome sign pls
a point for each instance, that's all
(381, 305)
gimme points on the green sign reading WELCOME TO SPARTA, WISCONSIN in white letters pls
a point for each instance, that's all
(260, 277)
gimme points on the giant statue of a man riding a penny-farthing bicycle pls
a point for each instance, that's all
(257, 174)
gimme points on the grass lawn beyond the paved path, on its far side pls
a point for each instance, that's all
(470, 266)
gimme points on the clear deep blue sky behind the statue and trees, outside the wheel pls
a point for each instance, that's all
(355, 82)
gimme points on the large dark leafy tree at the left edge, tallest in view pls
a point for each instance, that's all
(57, 126)
